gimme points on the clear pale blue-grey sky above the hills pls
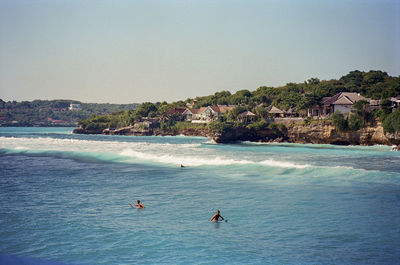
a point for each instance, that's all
(133, 51)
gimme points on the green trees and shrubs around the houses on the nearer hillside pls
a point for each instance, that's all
(298, 96)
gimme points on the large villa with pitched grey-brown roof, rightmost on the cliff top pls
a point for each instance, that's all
(342, 102)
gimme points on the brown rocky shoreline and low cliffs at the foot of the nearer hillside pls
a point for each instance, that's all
(321, 133)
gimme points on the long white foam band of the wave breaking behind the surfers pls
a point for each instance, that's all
(187, 154)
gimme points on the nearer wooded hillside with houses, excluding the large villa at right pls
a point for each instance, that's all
(260, 104)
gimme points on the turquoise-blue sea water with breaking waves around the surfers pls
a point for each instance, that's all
(64, 200)
